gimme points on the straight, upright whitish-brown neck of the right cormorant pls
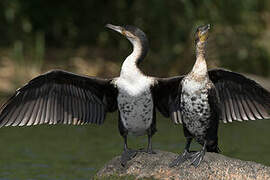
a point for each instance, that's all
(200, 66)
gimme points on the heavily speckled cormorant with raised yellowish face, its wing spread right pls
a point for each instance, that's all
(205, 97)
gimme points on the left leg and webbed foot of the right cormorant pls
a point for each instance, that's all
(184, 156)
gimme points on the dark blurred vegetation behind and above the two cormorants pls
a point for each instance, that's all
(39, 35)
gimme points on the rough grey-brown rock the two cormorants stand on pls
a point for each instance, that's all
(214, 166)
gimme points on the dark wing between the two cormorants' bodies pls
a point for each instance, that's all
(166, 92)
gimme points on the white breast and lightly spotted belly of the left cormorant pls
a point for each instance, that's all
(135, 103)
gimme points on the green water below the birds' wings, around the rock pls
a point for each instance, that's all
(69, 152)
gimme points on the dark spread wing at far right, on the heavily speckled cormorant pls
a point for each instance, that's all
(241, 98)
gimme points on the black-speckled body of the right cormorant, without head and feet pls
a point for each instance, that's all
(199, 113)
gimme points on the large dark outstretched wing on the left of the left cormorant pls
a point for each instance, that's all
(60, 97)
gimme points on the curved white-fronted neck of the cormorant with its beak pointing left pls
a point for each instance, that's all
(130, 65)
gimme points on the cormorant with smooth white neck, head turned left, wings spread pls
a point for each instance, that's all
(61, 97)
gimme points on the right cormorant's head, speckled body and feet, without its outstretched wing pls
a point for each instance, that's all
(199, 106)
